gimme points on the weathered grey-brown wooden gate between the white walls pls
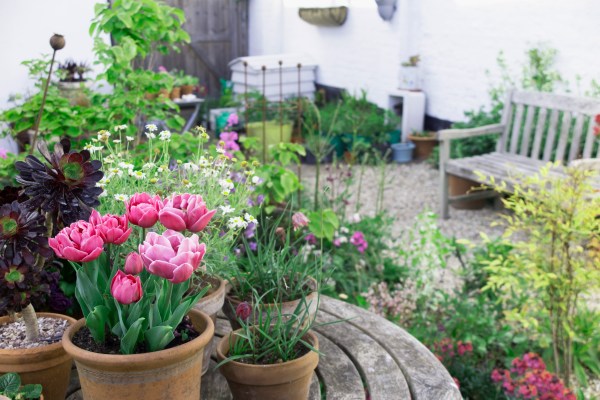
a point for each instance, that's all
(219, 33)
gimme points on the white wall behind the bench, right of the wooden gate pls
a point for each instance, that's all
(458, 40)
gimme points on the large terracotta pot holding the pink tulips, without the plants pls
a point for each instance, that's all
(166, 374)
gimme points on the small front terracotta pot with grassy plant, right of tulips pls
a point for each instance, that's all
(272, 356)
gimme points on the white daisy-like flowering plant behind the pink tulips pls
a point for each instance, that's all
(226, 184)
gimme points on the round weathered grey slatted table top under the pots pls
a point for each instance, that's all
(365, 357)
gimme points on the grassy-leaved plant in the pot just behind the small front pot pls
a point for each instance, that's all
(274, 269)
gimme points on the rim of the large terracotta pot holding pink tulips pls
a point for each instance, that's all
(148, 360)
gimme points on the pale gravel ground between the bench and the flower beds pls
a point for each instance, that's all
(411, 189)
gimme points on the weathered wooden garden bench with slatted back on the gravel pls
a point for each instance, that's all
(536, 128)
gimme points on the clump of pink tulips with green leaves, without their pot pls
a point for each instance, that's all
(119, 288)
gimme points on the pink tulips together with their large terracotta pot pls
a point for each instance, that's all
(134, 293)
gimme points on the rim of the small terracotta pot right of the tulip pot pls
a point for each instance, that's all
(299, 363)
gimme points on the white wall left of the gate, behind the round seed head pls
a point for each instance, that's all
(25, 29)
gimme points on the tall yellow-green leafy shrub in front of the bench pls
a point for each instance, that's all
(554, 230)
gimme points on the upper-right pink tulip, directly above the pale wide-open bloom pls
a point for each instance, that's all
(185, 211)
